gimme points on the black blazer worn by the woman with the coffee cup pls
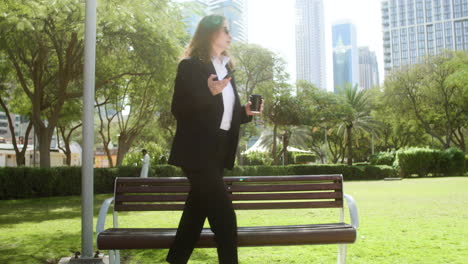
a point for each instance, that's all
(198, 114)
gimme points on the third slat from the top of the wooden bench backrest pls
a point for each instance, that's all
(234, 197)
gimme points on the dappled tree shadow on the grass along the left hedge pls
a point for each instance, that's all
(44, 209)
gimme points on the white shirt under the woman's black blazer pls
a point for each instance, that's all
(219, 64)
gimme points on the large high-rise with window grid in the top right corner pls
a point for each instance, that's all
(414, 29)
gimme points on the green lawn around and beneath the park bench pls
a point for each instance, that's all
(418, 221)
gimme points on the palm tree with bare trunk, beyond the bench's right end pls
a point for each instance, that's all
(358, 116)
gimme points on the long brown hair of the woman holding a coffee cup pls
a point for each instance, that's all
(200, 45)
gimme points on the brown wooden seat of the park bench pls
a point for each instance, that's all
(151, 238)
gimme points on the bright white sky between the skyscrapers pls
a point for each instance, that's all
(271, 24)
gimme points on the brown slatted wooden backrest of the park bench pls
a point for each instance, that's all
(249, 192)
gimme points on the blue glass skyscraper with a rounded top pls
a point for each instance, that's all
(345, 55)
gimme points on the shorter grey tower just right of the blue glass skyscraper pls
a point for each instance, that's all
(368, 68)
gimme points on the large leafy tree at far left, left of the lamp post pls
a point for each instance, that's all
(43, 43)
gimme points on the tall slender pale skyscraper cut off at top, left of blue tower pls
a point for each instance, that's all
(310, 42)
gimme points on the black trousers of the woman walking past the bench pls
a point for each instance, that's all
(208, 198)
